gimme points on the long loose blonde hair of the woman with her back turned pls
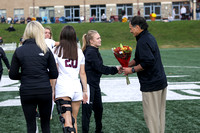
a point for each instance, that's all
(34, 30)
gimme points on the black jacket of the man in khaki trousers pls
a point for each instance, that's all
(147, 54)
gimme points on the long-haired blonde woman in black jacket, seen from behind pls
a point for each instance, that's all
(34, 65)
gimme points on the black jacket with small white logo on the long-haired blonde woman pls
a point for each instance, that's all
(33, 68)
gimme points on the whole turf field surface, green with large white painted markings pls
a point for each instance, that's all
(122, 103)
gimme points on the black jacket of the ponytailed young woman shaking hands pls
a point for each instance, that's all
(94, 67)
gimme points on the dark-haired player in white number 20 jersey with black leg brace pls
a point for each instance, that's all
(70, 63)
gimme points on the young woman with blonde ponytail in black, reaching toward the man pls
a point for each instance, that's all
(94, 68)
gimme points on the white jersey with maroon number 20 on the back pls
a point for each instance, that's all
(68, 81)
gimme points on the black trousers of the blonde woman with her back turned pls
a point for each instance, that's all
(29, 105)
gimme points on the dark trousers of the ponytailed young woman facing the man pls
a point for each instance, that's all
(96, 106)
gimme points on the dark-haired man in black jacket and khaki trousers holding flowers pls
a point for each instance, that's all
(153, 82)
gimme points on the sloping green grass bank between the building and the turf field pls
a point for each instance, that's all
(169, 35)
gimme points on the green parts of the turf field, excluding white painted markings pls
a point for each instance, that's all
(182, 116)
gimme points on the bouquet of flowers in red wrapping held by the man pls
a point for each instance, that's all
(123, 55)
